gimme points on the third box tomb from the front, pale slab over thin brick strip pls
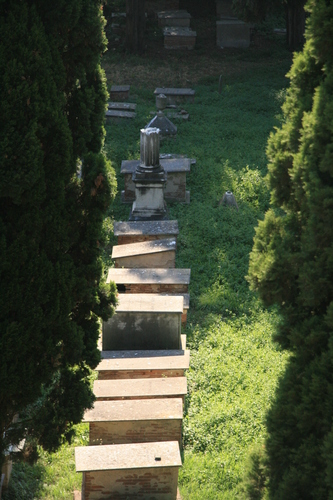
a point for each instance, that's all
(145, 388)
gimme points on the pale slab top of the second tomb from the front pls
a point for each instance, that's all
(134, 409)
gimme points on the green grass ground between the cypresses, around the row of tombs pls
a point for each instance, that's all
(234, 364)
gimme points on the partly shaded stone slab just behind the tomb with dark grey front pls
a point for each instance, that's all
(161, 275)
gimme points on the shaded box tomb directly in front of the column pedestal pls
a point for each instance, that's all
(137, 231)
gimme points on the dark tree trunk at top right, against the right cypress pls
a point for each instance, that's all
(295, 20)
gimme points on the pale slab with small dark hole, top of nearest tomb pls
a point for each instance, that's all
(127, 456)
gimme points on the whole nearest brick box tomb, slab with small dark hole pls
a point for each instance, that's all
(129, 471)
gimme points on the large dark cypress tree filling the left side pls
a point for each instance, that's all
(55, 187)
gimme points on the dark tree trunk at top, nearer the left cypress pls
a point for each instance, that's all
(135, 25)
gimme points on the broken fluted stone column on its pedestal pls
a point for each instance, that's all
(149, 179)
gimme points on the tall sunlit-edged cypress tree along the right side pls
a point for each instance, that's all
(291, 265)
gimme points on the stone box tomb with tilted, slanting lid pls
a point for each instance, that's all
(146, 254)
